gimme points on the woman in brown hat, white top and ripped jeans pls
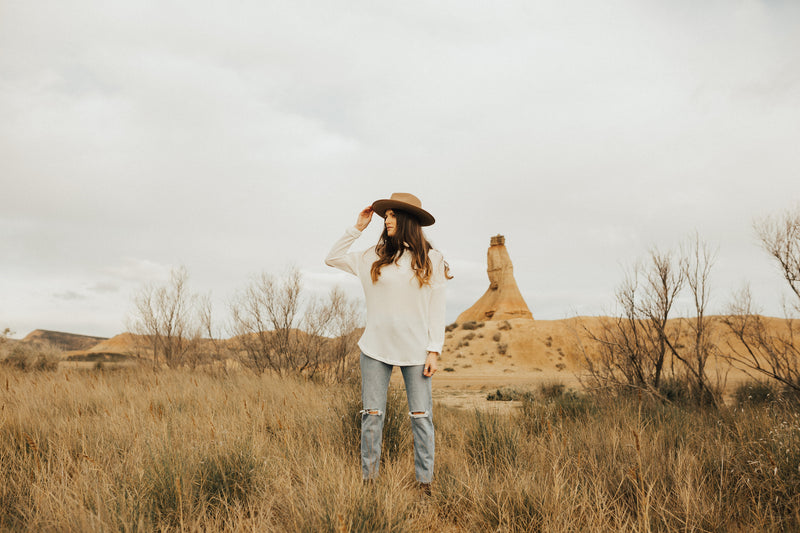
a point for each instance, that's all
(404, 284)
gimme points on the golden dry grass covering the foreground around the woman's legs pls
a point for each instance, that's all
(134, 450)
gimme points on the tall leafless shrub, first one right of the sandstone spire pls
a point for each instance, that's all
(633, 347)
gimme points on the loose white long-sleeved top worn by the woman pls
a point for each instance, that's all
(404, 321)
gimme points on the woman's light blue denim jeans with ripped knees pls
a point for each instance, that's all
(374, 386)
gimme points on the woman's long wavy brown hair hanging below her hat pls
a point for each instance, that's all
(408, 235)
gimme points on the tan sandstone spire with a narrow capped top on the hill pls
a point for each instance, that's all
(502, 299)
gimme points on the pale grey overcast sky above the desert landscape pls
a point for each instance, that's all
(244, 136)
